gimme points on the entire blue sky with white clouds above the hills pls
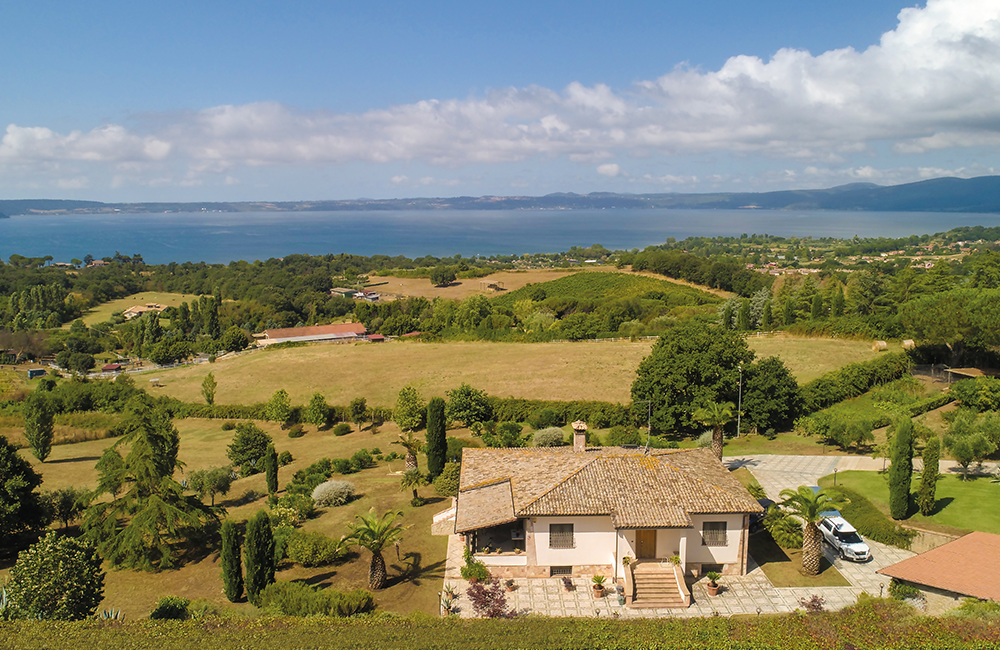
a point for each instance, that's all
(127, 101)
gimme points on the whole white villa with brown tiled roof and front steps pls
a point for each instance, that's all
(580, 511)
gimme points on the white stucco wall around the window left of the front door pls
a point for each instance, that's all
(594, 539)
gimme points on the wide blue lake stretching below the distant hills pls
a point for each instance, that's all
(224, 237)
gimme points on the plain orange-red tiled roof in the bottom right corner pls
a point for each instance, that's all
(965, 566)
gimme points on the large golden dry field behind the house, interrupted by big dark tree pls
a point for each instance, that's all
(555, 371)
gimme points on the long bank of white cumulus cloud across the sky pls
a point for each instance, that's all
(932, 83)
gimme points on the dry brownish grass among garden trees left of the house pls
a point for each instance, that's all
(414, 577)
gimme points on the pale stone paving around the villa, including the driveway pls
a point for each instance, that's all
(750, 594)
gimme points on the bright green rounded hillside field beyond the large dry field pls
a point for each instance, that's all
(596, 285)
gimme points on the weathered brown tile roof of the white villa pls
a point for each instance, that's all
(659, 489)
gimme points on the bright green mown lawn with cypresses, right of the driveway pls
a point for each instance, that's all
(963, 505)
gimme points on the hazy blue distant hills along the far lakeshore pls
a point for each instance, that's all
(937, 195)
